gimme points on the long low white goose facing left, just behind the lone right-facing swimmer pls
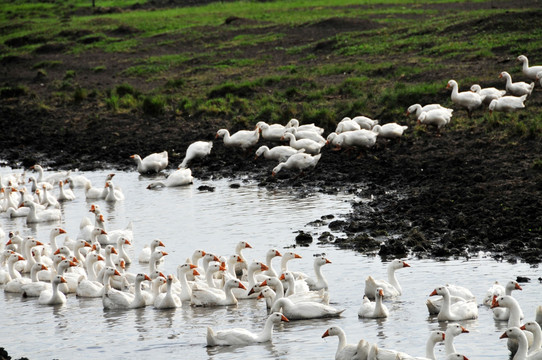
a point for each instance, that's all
(305, 309)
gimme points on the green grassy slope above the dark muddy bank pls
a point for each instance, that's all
(246, 61)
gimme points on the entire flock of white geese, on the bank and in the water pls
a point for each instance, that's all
(93, 264)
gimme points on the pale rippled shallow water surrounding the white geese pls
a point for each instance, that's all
(186, 219)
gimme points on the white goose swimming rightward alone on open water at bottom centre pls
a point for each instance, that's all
(238, 336)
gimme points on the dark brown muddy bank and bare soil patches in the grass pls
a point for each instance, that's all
(454, 195)
